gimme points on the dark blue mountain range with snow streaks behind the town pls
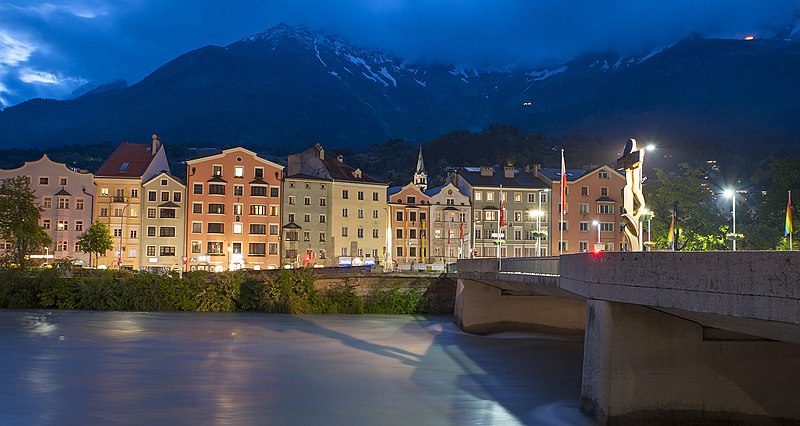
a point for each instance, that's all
(287, 88)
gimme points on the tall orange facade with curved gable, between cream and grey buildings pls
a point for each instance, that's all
(233, 216)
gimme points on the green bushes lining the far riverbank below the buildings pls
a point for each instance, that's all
(286, 291)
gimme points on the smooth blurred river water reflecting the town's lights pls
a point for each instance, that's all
(68, 367)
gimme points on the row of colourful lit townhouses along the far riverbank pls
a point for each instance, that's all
(237, 210)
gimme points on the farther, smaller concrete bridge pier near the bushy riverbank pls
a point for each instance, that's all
(482, 308)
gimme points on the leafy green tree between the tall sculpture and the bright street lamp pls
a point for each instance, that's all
(698, 222)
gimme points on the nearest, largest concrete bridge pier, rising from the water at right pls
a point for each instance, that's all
(642, 365)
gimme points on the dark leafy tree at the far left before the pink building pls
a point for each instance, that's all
(19, 220)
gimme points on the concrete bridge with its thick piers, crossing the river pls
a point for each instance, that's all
(677, 337)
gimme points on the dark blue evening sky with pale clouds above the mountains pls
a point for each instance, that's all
(49, 48)
